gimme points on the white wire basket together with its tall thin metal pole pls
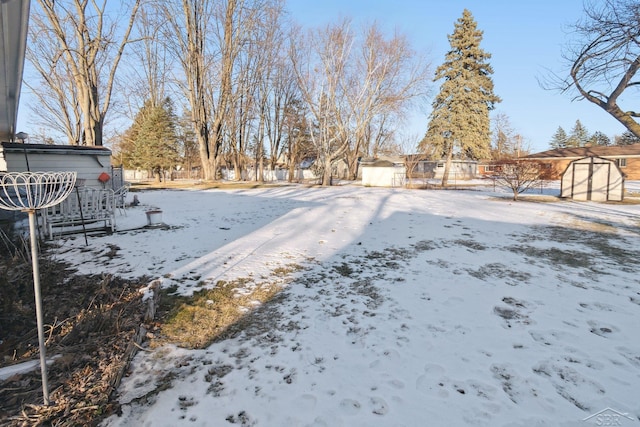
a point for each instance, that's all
(28, 191)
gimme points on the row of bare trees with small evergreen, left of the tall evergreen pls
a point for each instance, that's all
(232, 83)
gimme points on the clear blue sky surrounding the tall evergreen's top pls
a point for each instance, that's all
(525, 39)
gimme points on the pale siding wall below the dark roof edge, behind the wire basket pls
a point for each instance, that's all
(88, 165)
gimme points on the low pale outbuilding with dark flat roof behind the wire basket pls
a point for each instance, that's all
(89, 162)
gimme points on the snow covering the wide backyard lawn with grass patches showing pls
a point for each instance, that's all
(416, 308)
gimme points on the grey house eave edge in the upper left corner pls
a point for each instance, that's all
(14, 17)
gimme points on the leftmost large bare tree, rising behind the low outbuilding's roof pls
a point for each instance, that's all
(76, 48)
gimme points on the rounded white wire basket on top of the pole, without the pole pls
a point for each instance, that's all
(34, 190)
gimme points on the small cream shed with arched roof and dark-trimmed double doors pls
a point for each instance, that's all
(592, 178)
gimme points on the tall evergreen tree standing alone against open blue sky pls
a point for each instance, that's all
(459, 121)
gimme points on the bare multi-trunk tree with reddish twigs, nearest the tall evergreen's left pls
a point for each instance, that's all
(350, 85)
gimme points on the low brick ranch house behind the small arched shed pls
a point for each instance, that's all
(626, 157)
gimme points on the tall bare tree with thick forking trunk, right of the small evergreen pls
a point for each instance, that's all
(215, 42)
